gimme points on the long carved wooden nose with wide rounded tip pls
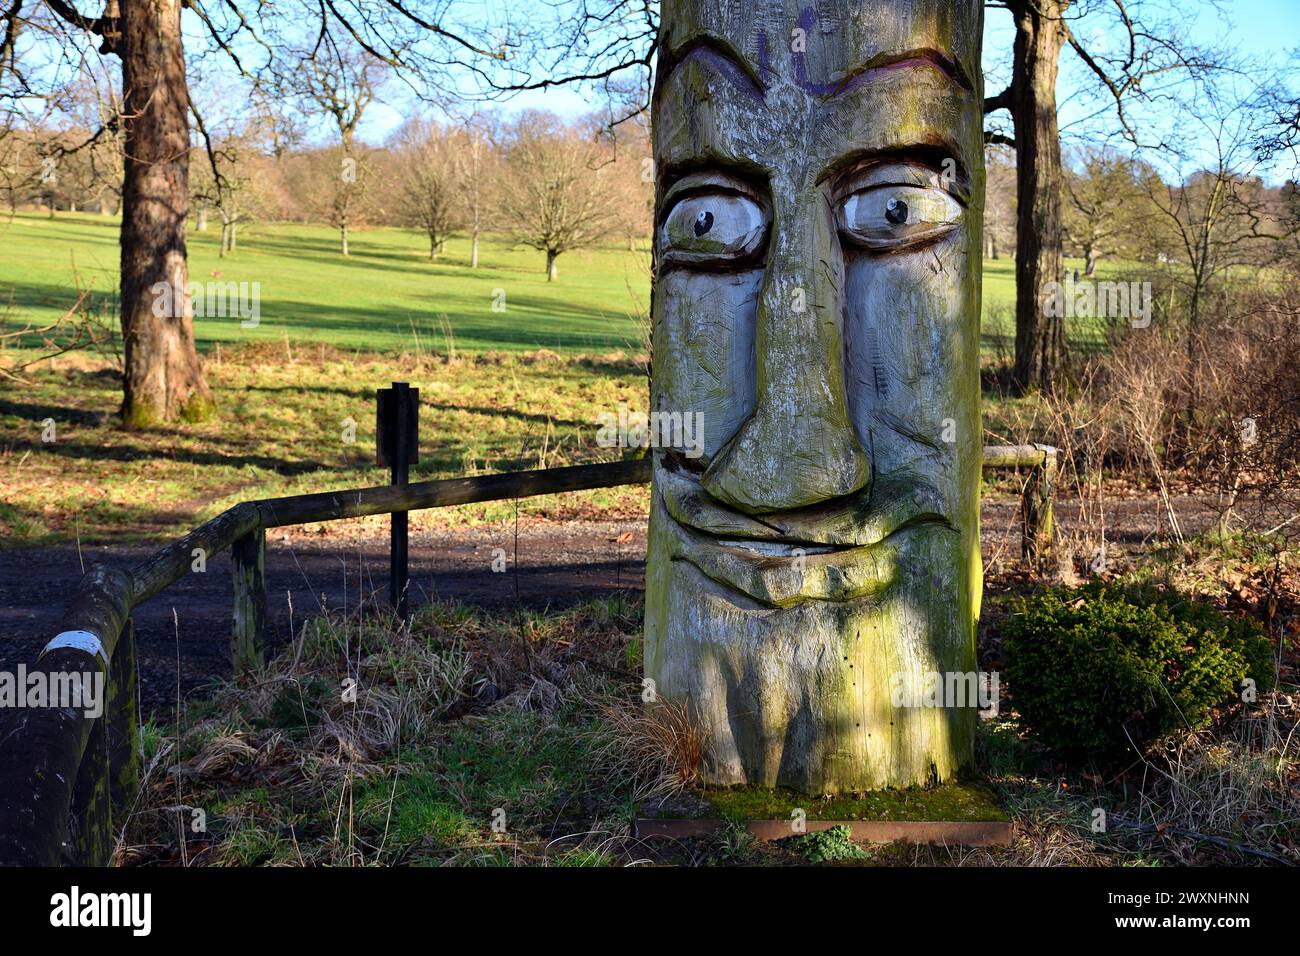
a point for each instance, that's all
(799, 448)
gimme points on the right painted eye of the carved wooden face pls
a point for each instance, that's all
(891, 218)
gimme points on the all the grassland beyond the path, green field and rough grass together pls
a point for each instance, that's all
(500, 392)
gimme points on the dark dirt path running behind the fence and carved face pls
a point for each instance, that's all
(560, 564)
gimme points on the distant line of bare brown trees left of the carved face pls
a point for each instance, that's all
(545, 183)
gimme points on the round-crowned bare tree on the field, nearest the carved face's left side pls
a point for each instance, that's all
(557, 193)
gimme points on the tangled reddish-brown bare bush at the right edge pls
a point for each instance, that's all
(1214, 408)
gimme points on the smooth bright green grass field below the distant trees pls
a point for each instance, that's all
(387, 296)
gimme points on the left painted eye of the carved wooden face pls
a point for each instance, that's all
(713, 228)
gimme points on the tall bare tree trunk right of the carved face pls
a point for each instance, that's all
(1039, 339)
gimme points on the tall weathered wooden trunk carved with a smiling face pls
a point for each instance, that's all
(817, 304)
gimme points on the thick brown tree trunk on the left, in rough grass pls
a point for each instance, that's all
(163, 373)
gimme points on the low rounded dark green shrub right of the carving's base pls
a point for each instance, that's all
(1093, 668)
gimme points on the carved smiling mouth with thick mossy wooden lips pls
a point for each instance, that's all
(839, 551)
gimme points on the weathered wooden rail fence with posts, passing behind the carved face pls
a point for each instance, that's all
(67, 773)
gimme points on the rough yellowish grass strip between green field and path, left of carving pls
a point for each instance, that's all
(283, 429)
